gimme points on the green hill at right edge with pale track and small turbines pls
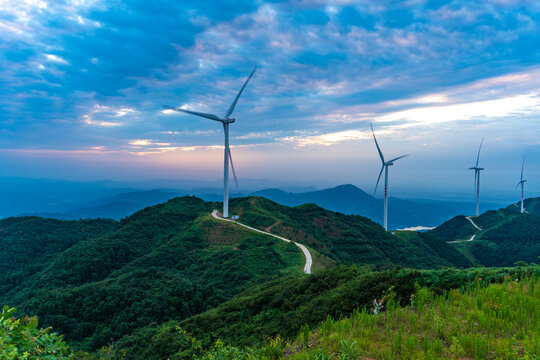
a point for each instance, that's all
(505, 235)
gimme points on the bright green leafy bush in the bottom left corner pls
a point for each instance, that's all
(21, 339)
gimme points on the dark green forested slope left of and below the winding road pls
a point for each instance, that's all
(166, 262)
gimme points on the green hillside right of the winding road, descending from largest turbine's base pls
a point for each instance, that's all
(346, 239)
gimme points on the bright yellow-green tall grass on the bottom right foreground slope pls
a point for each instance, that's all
(499, 321)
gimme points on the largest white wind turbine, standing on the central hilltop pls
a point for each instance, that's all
(228, 158)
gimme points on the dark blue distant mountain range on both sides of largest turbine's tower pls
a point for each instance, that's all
(346, 199)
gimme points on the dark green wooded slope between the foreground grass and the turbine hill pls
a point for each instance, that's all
(283, 306)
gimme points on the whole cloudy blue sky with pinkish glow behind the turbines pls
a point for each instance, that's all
(83, 83)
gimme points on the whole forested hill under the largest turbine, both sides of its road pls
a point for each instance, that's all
(100, 280)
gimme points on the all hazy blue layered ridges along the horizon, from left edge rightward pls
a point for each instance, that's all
(82, 200)
